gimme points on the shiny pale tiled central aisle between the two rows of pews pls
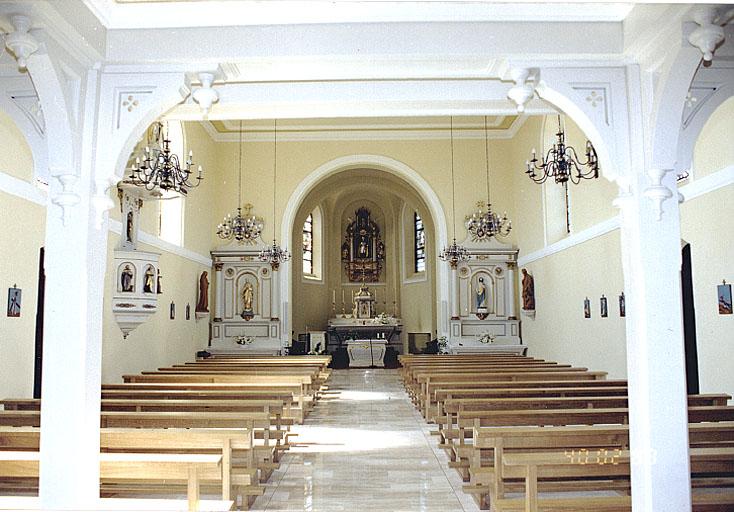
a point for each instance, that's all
(365, 447)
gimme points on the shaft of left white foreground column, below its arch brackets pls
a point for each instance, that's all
(75, 264)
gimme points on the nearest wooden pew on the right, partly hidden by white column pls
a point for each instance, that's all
(557, 465)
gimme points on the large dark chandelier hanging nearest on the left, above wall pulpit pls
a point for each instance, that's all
(160, 168)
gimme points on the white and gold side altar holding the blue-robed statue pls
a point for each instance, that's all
(485, 290)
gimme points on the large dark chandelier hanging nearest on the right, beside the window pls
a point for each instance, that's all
(562, 163)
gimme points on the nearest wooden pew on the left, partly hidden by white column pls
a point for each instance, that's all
(192, 468)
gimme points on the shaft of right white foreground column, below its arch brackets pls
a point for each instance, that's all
(655, 351)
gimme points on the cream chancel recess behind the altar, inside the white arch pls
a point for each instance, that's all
(379, 199)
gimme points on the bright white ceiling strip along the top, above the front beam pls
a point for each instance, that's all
(126, 14)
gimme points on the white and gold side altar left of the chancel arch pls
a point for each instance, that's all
(245, 303)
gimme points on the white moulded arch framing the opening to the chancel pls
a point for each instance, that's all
(382, 163)
